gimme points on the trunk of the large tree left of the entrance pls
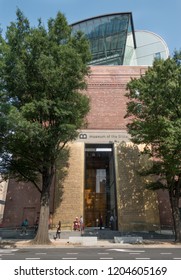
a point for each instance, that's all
(42, 236)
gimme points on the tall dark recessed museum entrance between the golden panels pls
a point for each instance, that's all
(99, 191)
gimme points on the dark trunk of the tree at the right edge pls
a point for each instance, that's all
(174, 199)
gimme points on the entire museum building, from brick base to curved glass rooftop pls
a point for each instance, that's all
(102, 170)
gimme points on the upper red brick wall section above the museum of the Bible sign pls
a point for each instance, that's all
(106, 89)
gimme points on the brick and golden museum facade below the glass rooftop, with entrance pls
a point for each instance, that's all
(122, 191)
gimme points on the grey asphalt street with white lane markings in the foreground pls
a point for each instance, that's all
(91, 254)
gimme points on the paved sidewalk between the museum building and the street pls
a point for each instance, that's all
(104, 238)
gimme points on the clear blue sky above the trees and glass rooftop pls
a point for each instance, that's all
(158, 16)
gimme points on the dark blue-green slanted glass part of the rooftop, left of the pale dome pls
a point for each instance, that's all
(108, 35)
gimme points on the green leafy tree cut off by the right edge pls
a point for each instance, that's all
(154, 109)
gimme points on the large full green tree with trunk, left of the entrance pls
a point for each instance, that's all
(43, 73)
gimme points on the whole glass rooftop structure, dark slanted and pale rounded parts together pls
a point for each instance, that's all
(113, 41)
